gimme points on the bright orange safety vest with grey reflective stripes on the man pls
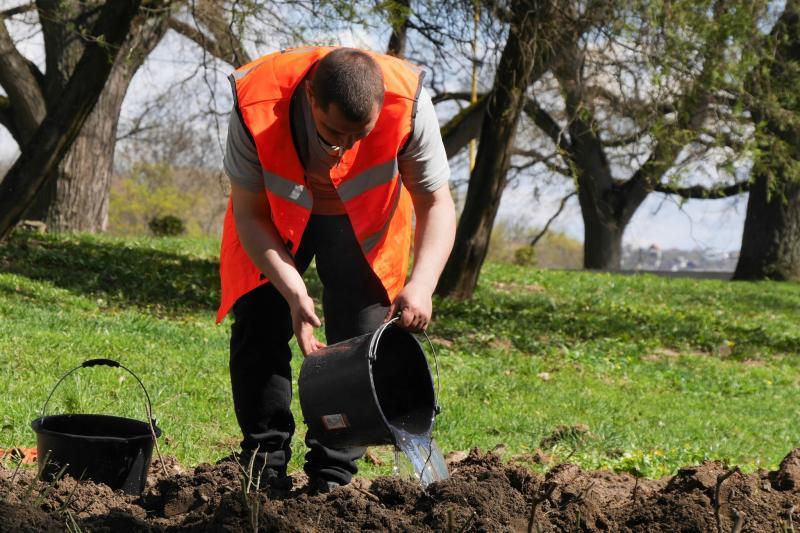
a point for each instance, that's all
(366, 178)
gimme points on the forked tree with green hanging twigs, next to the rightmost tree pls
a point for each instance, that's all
(633, 108)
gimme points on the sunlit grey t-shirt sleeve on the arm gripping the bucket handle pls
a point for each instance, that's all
(423, 164)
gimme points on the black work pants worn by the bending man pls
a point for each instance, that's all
(354, 303)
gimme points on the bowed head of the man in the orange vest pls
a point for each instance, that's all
(346, 95)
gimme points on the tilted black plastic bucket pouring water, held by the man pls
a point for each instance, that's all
(354, 392)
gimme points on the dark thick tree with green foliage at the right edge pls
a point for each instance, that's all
(771, 238)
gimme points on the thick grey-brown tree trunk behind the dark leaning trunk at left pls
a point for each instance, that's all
(75, 195)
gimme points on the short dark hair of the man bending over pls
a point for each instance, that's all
(351, 79)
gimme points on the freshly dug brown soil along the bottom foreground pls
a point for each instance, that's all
(482, 495)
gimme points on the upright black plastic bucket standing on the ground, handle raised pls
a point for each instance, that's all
(101, 448)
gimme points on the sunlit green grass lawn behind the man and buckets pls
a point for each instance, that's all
(664, 372)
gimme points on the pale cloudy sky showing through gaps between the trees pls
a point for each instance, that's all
(713, 225)
